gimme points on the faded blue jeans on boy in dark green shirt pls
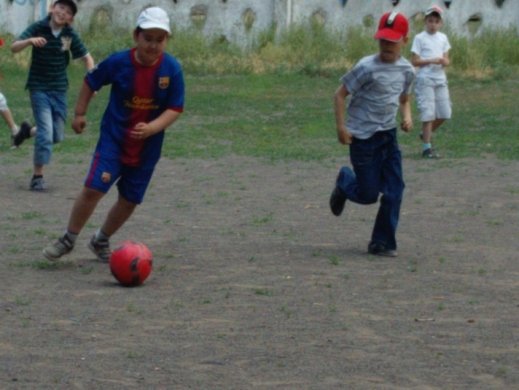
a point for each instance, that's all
(49, 109)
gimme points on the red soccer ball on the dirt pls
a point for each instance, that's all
(131, 263)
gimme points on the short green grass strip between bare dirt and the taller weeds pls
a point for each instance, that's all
(290, 117)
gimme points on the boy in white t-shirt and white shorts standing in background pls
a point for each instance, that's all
(430, 53)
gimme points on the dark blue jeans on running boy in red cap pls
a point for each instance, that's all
(377, 163)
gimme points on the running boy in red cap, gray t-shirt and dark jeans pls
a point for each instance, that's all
(379, 87)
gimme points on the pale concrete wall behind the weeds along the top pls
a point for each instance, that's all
(239, 21)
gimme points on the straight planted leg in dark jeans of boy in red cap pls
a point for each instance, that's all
(384, 231)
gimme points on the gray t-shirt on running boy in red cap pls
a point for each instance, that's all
(375, 88)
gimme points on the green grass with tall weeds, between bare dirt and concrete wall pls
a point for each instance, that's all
(274, 101)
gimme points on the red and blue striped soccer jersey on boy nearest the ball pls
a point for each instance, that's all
(138, 94)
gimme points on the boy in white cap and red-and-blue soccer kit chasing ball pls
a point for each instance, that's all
(147, 96)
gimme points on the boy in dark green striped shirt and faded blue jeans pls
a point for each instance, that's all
(53, 42)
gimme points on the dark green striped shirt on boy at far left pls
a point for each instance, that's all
(49, 63)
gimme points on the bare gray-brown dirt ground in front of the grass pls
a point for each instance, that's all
(256, 285)
